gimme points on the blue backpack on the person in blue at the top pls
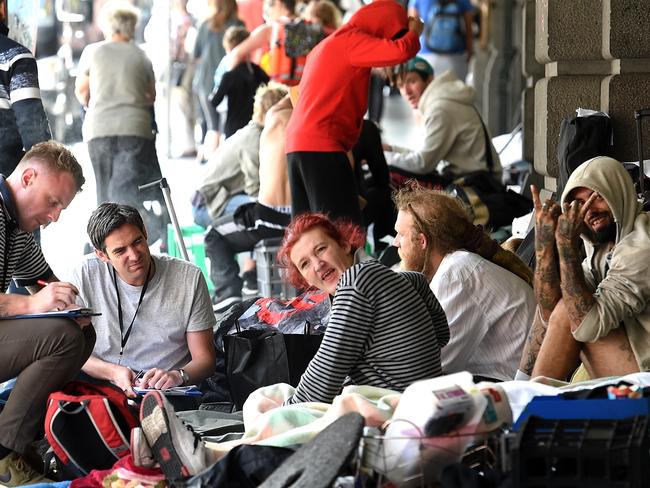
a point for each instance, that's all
(444, 28)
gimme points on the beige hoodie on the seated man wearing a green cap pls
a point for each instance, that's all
(453, 133)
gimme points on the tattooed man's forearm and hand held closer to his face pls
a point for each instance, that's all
(577, 296)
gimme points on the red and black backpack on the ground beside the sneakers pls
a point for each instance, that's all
(89, 425)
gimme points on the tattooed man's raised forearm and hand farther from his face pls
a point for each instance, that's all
(547, 276)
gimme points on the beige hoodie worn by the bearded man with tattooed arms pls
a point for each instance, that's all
(620, 277)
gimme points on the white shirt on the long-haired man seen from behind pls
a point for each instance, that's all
(488, 309)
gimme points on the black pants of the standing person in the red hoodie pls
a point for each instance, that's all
(323, 182)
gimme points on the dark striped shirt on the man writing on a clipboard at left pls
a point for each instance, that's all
(20, 255)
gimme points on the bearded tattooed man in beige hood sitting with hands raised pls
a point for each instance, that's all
(597, 312)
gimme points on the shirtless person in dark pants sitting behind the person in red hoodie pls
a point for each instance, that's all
(255, 221)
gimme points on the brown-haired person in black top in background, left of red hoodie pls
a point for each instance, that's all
(238, 85)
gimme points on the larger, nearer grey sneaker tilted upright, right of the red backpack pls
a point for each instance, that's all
(177, 448)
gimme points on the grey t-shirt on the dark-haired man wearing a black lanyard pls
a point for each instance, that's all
(176, 301)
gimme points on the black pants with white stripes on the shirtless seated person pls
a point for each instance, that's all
(237, 233)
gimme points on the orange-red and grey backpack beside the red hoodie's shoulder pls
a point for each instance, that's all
(290, 44)
